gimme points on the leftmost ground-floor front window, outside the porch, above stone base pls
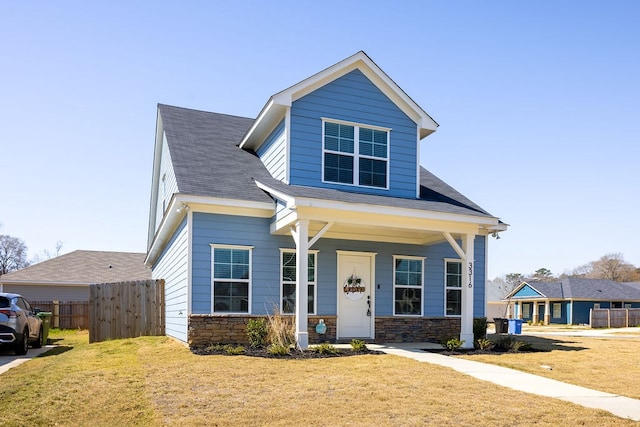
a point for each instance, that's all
(231, 272)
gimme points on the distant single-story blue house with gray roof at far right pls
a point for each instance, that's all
(570, 300)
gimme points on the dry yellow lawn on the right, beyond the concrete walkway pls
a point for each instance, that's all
(606, 364)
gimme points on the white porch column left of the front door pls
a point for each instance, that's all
(301, 238)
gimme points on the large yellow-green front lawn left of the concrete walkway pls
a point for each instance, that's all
(157, 381)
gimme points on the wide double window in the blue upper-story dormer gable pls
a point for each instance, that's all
(355, 154)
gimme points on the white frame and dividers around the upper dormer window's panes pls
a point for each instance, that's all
(356, 152)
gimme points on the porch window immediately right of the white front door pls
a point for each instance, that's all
(407, 285)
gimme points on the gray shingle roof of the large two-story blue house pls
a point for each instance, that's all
(208, 162)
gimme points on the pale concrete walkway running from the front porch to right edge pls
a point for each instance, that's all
(618, 405)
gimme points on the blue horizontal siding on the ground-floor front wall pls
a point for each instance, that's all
(232, 230)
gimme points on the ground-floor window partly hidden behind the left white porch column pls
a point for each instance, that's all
(288, 281)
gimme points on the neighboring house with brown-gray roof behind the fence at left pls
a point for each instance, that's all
(67, 277)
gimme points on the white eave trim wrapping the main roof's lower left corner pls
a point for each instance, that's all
(175, 214)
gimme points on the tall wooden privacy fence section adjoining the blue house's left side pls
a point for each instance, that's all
(126, 310)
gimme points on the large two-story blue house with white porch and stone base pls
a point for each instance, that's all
(318, 209)
